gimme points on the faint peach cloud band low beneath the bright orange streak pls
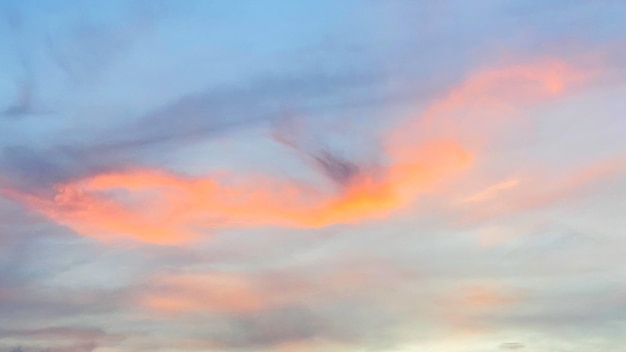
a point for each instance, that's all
(224, 292)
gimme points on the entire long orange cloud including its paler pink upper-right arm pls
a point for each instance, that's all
(160, 206)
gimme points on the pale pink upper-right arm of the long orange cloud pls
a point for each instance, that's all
(486, 100)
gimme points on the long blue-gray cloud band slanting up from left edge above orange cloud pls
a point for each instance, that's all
(188, 120)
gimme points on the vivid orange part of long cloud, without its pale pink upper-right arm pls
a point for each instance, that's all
(162, 207)
